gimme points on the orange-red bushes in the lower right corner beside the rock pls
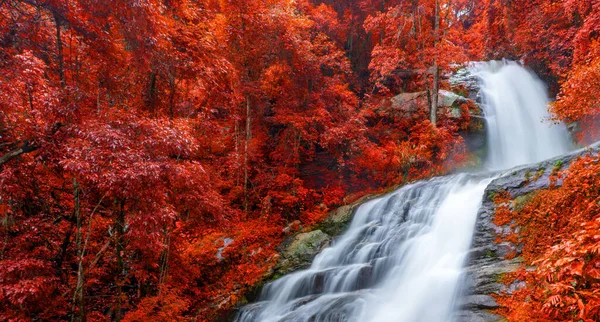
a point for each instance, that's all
(559, 233)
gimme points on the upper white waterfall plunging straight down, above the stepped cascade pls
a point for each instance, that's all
(519, 129)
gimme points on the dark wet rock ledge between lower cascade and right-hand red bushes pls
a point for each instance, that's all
(487, 264)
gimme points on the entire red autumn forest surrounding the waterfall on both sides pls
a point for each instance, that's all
(154, 154)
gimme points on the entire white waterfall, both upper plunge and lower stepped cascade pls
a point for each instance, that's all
(402, 257)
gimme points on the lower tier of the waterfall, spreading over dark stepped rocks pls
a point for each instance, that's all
(409, 246)
